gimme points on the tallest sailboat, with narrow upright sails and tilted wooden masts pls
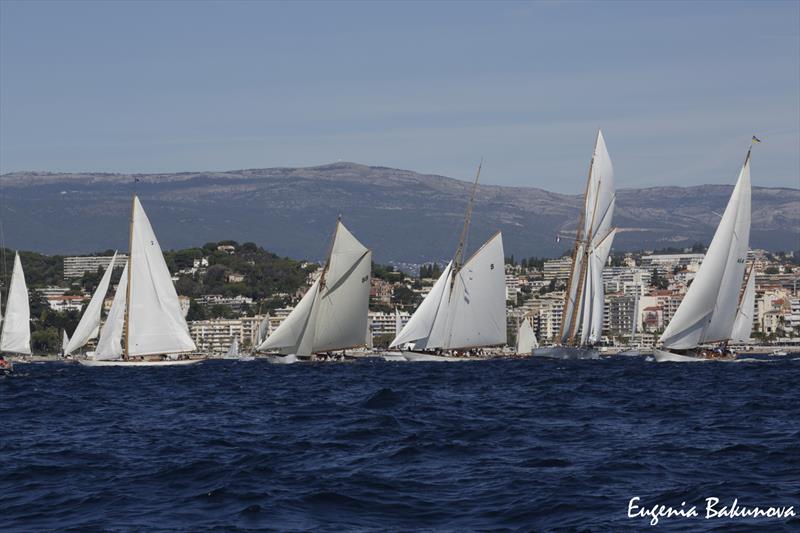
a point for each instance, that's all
(582, 315)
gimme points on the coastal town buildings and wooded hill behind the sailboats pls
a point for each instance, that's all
(642, 292)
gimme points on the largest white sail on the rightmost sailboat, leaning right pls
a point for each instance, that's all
(708, 311)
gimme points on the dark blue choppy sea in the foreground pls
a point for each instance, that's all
(502, 445)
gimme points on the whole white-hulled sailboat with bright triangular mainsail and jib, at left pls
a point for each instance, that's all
(145, 326)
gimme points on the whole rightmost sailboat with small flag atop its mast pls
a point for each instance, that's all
(714, 301)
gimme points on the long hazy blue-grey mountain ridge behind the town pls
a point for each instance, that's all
(402, 215)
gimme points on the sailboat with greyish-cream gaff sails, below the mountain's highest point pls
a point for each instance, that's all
(333, 313)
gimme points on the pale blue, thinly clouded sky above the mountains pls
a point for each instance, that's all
(677, 88)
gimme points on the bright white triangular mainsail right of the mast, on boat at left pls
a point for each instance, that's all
(155, 321)
